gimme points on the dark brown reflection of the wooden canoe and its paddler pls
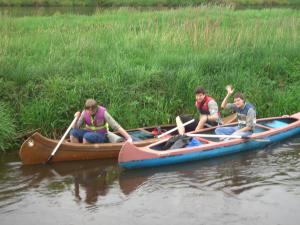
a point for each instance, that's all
(86, 179)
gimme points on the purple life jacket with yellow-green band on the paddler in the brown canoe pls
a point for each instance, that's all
(98, 122)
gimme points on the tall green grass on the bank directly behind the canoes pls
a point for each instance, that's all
(144, 66)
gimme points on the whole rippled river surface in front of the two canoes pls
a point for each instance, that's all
(260, 187)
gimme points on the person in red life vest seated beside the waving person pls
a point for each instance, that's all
(208, 109)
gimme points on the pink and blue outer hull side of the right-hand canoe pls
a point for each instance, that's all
(131, 156)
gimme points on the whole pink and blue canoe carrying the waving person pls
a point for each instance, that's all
(268, 130)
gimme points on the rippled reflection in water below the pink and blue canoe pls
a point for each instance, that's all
(277, 165)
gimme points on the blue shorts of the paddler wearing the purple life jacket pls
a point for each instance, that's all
(90, 136)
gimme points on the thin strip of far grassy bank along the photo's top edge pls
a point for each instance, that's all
(144, 3)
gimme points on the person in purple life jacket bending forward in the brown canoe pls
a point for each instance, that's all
(95, 120)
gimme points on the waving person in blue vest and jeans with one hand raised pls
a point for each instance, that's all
(246, 115)
